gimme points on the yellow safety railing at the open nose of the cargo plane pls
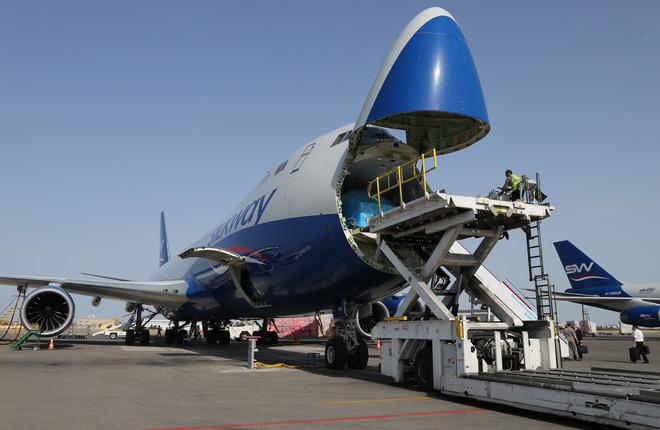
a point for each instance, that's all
(400, 175)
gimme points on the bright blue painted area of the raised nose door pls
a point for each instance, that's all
(434, 72)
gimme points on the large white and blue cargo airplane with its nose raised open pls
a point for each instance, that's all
(294, 245)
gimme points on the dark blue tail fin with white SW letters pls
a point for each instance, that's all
(582, 271)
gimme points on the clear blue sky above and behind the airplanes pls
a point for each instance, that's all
(112, 111)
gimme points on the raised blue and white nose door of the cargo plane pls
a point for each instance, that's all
(429, 87)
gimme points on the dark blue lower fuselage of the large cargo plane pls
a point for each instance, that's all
(297, 265)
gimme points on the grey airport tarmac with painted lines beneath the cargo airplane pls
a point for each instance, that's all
(104, 384)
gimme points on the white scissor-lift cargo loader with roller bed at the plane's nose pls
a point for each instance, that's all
(509, 359)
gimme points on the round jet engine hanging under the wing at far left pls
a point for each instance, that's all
(49, 309)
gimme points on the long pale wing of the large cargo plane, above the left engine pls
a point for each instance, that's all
(159, 293)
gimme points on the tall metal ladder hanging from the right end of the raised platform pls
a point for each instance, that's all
(545, 304)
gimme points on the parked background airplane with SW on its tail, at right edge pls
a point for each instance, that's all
(638, 304)
